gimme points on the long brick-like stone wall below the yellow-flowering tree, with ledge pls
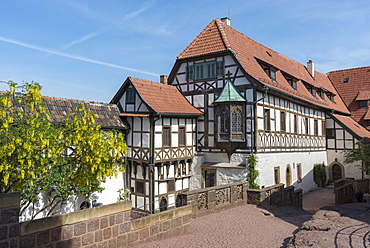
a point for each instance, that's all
(105, 226)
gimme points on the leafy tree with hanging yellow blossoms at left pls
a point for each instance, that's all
(69, 158)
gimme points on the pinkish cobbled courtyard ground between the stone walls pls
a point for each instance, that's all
(249, 226)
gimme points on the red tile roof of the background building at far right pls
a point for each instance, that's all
(358, 81)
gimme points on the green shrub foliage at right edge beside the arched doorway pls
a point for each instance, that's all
(360, 155)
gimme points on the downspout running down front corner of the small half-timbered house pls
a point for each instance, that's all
(152, 164)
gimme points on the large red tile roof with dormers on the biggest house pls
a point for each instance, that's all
(219, 37)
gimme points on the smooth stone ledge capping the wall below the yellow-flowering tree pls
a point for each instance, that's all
(51, 222)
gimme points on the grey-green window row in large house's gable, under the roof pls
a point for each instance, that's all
(205, 70)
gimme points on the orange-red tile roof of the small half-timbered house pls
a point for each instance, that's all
(163, 98)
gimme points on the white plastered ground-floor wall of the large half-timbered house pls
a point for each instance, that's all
(267, 162)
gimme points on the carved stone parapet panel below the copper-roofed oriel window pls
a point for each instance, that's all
(208, 200)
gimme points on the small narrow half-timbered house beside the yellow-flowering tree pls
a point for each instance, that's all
(161, 141)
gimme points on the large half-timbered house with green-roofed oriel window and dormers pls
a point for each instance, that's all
(279, 110)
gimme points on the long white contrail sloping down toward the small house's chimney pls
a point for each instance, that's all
(74, 56)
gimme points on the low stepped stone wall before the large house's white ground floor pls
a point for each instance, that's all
(275, 195)
